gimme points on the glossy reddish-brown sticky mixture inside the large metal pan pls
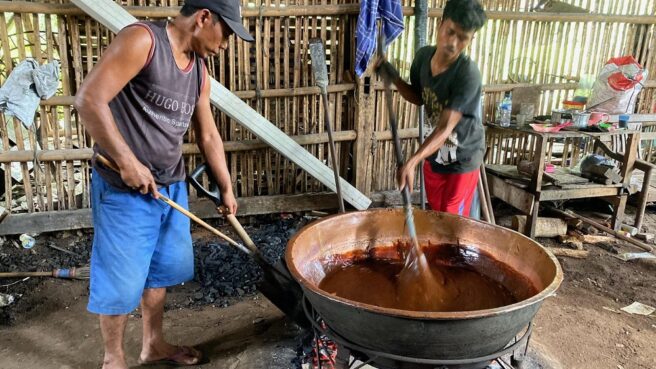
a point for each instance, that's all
(469, 279)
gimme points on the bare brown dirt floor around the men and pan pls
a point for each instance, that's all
(581, 327)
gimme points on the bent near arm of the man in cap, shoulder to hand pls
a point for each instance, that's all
(121, 62)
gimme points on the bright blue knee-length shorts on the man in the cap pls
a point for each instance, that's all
(138, 243)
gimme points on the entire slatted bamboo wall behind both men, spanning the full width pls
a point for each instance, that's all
(274, 76)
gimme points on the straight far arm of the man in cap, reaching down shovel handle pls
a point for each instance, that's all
(211, 146)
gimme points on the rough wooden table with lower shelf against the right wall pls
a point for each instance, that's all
(527, 197)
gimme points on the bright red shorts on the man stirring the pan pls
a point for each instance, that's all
(451, 193)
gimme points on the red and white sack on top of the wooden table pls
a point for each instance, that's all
(617, 86)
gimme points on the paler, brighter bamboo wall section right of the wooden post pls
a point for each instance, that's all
(520, 48)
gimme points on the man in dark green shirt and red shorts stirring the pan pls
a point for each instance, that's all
(448, 83)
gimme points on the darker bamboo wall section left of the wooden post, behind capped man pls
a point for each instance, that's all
(273, 75)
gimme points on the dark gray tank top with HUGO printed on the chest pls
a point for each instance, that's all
(154, 109)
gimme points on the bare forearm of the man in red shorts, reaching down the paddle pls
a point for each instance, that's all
(449, 118)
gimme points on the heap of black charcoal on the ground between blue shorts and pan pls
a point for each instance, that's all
(225, 273)
